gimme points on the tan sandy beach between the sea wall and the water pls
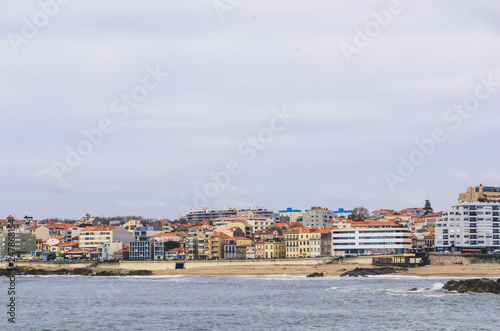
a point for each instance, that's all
(475, 270)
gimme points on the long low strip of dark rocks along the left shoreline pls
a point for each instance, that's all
(23, 271)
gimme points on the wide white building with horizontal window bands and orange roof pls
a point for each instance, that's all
(381, 238)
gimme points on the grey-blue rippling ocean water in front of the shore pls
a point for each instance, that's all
(245, 303)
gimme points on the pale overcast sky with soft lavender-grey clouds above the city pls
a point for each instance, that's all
(153, 108)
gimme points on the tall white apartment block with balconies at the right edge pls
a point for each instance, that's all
(469, 226)
